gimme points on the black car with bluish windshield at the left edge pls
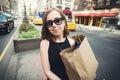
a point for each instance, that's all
(6, 23)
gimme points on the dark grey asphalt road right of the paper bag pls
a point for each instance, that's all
(106, 48)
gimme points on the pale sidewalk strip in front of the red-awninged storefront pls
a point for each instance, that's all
(94, 28)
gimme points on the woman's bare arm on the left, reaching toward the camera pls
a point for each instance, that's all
(44, 45)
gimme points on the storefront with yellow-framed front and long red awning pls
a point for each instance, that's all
(92, 18)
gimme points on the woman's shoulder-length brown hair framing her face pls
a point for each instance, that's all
(45, 32)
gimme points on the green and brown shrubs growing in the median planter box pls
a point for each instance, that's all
(27, 30)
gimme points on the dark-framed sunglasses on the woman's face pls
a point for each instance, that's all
(57, 21)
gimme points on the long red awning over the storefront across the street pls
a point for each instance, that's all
(97, 14)
